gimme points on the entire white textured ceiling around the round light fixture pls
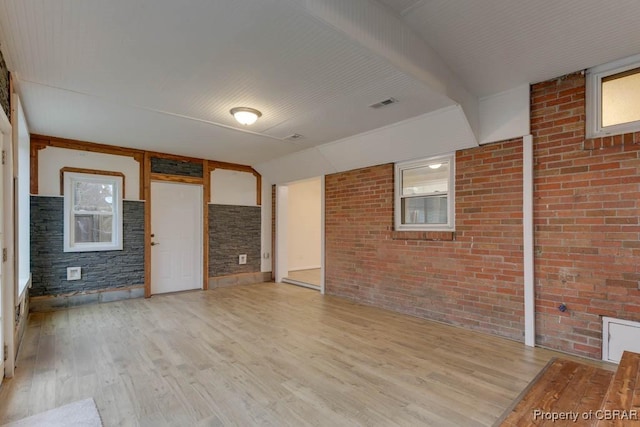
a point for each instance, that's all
(162, 75)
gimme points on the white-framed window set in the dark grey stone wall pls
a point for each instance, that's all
(92, 212)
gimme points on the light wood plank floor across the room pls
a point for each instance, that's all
(266, 354)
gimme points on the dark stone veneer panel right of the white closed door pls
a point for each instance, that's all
(234, 230)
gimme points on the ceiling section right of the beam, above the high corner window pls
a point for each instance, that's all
(495, 45)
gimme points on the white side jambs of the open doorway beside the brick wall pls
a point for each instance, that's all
(282, 219)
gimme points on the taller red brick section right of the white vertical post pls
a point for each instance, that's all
(586, 209)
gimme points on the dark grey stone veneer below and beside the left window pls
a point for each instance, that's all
(100, 270)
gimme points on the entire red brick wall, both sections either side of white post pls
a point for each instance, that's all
(587, 233)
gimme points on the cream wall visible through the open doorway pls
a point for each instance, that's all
(305, 224)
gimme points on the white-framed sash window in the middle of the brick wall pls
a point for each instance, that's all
(424, 196)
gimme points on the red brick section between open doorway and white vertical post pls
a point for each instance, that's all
(475, 280)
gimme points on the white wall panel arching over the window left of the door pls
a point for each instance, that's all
(52, 159)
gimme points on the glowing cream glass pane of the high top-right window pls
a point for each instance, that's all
(621, 98)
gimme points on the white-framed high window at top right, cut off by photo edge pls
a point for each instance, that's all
(613, 98)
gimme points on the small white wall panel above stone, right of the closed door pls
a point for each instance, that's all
(230, 187)
